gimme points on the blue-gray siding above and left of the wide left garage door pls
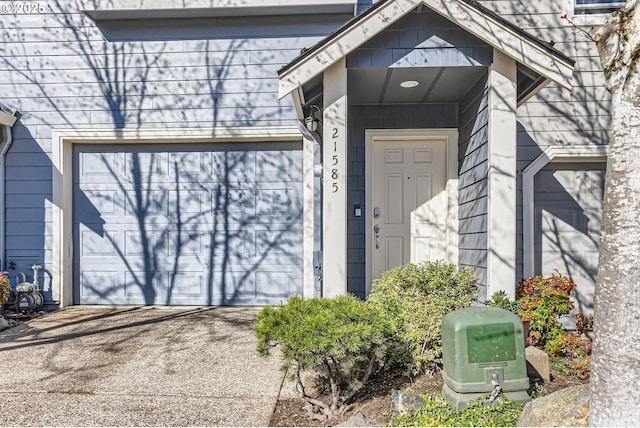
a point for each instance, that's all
(62, 71)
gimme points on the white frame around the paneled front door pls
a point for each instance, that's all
(451, 186)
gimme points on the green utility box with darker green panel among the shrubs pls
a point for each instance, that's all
(483, 346)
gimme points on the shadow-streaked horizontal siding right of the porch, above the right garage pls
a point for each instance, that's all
(556, 116)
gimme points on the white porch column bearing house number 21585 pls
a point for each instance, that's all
(334, 188)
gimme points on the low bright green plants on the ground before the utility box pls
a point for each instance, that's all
(438, 413)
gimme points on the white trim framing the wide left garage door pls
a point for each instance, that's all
(62, 173)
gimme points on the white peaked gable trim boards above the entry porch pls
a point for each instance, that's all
(536, 55)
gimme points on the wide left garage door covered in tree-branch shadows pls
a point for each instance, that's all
(196, 224)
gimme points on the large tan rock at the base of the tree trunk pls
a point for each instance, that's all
(568, 407)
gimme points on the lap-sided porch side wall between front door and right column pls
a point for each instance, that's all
(473, 184)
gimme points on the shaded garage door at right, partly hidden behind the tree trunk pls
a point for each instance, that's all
(568, 203)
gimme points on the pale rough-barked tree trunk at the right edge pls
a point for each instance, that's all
(615, 370)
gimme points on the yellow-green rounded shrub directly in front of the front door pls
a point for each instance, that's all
(416, 297)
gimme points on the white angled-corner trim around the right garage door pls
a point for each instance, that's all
(551, 154)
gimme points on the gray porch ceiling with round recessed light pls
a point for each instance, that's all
(435, 84)
